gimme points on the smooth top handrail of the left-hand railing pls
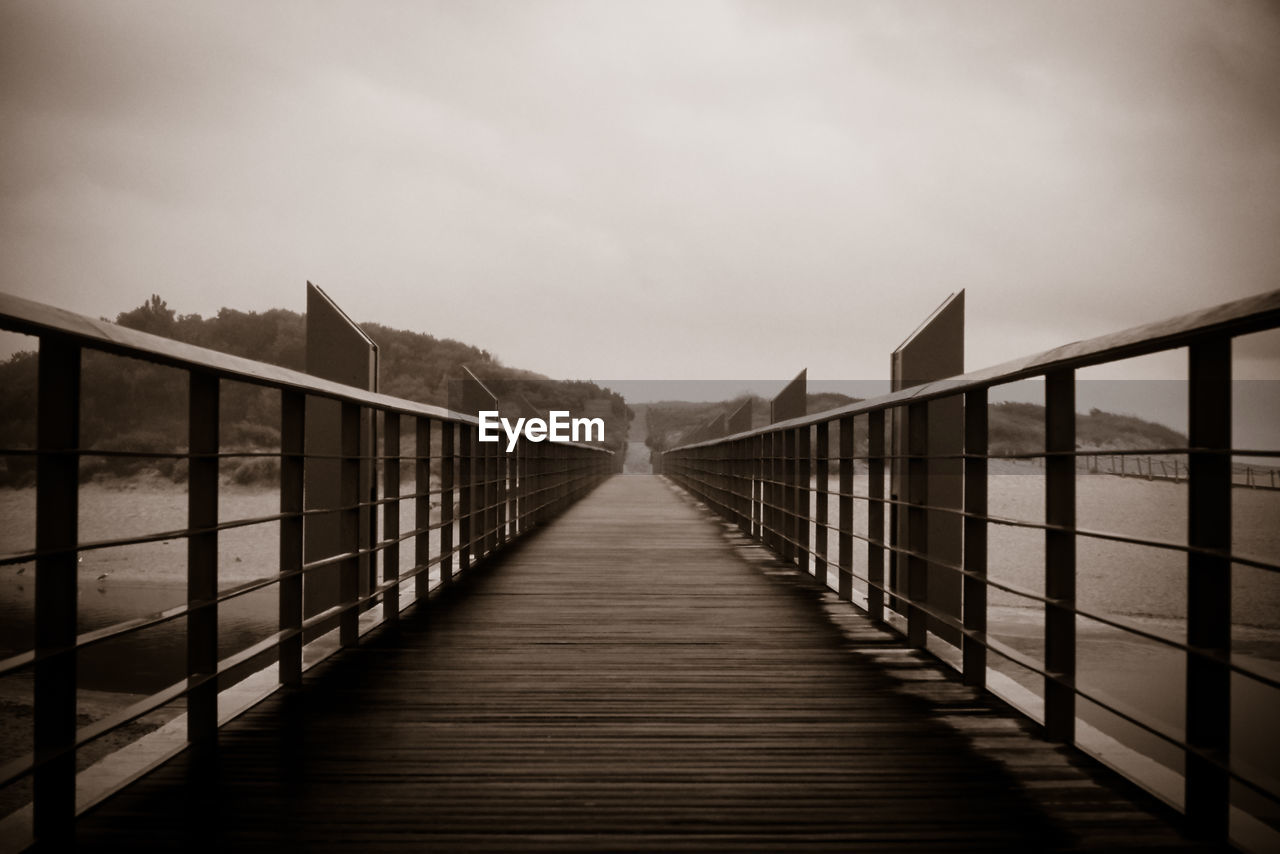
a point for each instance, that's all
(29, 317)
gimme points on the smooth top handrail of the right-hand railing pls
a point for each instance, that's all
(1241, 317)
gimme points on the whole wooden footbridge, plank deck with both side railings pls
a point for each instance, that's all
(582, 661)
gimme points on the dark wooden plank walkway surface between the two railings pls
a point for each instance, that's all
(633, 678)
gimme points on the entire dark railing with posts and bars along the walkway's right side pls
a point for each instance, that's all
(766, 482)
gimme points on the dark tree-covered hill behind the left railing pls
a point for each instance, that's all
(130, 405)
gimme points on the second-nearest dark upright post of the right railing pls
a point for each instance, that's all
(1060, 556)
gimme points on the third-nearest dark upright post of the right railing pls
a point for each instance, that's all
(975, 652)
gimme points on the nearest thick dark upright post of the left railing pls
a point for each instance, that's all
(57, 537)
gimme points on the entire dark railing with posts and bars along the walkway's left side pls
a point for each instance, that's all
(487, 499)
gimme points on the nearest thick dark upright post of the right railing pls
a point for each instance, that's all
(1209, 590)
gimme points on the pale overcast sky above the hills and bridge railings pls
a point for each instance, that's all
(651, 190)
